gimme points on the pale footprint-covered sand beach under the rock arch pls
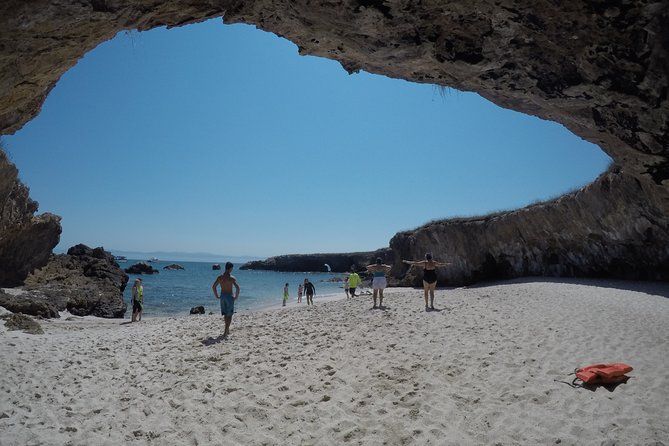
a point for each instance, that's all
(480, 371)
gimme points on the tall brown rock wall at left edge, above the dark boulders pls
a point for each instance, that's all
(26, 239)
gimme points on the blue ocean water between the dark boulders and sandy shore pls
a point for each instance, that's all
(171, 293)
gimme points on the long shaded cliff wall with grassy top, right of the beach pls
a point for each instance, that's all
(607, 240)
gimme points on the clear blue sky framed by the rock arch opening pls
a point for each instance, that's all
(216, 138)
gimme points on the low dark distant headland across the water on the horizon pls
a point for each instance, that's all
(338, 263)
